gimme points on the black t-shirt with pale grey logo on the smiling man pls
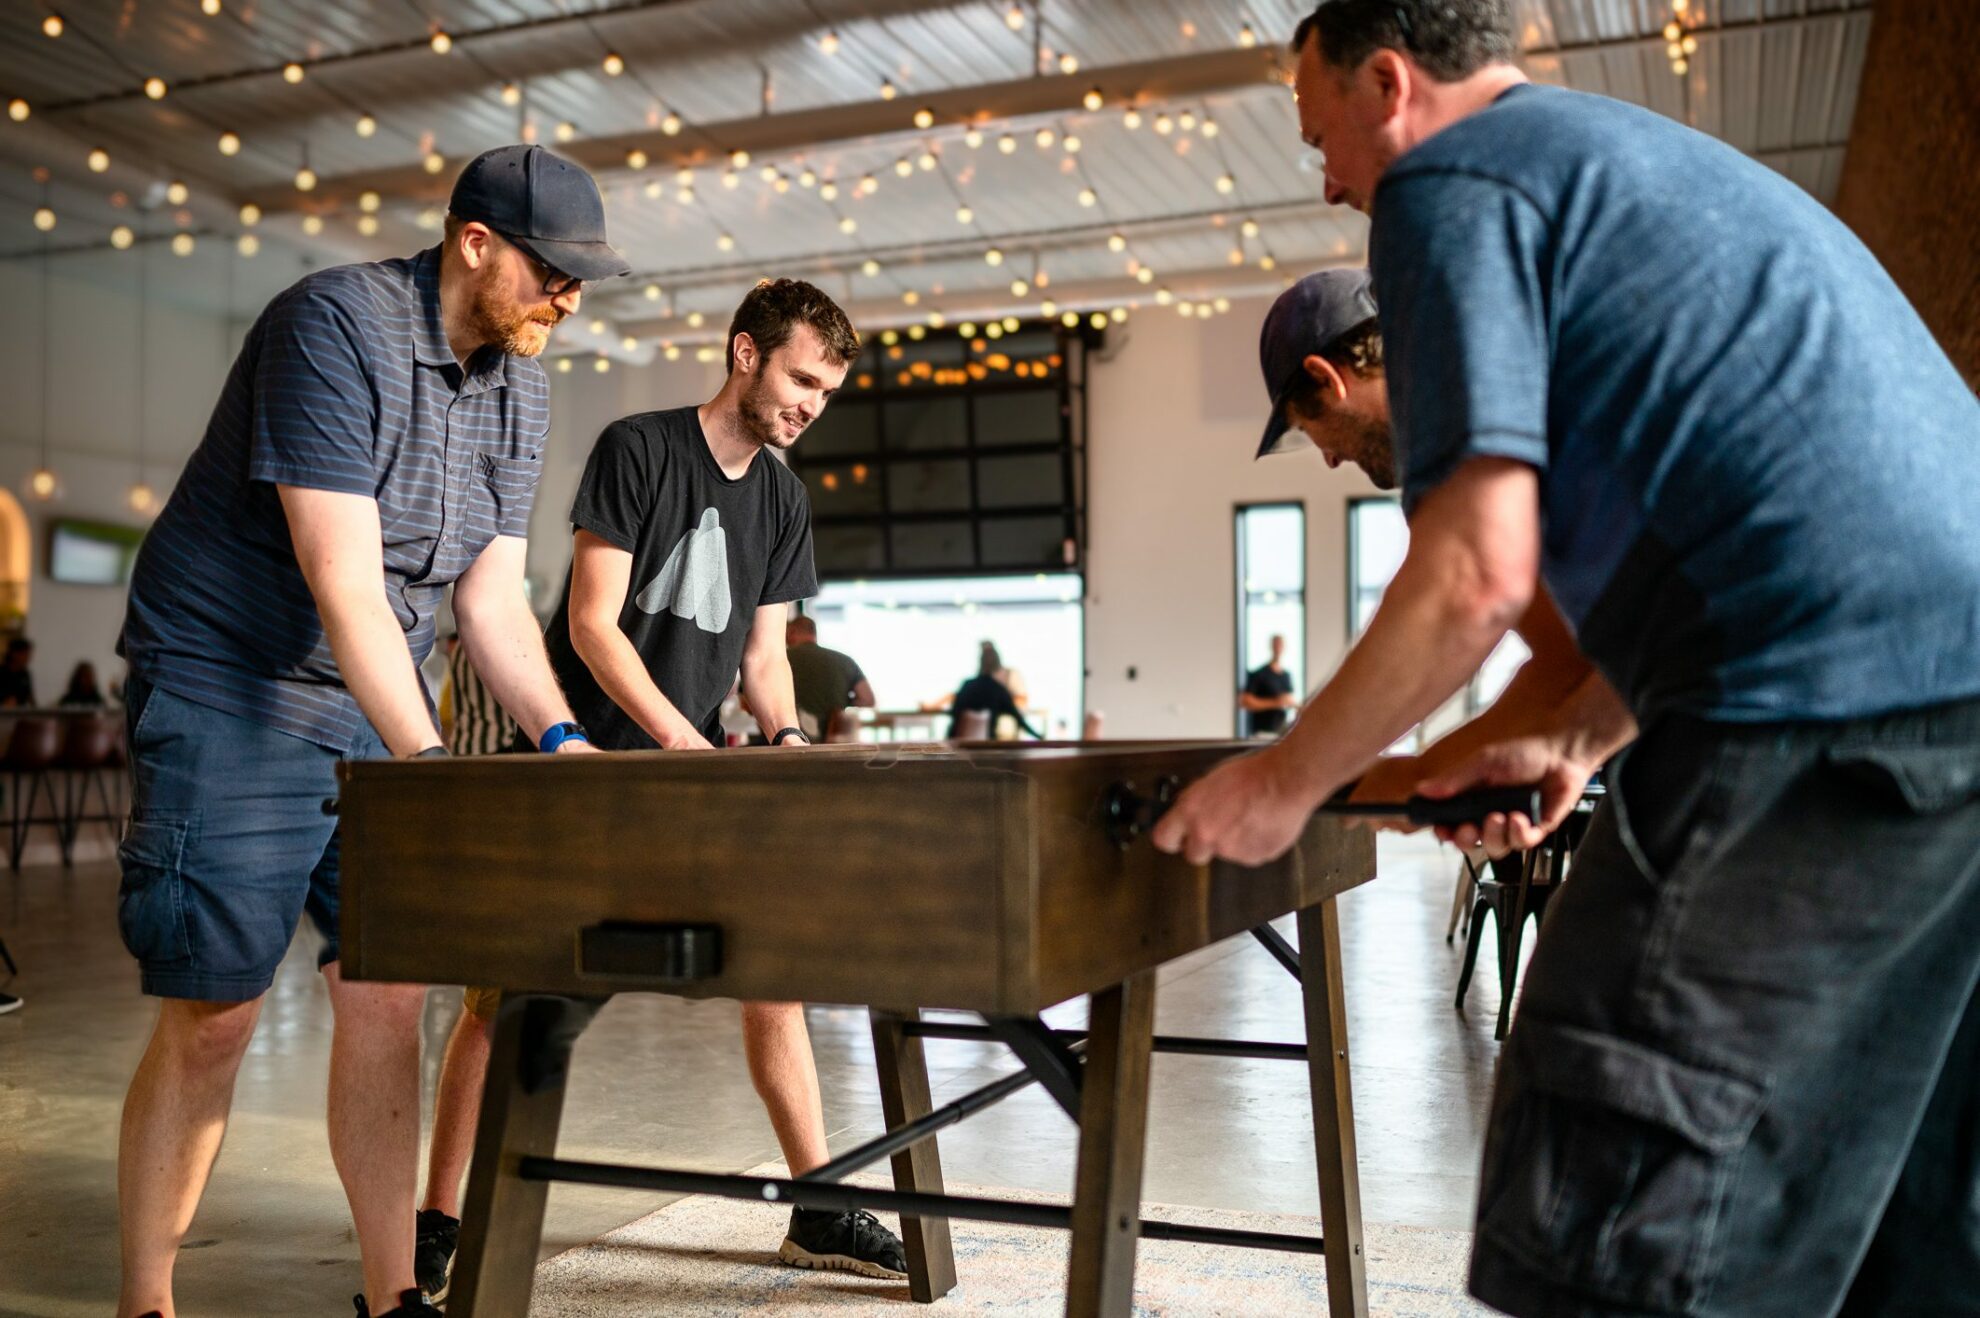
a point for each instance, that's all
(706, 553)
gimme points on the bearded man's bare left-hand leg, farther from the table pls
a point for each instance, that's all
(173, 1121)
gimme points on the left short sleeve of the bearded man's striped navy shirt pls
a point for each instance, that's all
(316, 417)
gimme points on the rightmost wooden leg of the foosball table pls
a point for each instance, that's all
(1334, 1109)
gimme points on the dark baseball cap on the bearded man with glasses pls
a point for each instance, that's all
(544, 205)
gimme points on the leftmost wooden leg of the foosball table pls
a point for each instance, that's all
(522, 1107)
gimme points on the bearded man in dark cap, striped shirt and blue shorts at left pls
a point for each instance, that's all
(377, 440)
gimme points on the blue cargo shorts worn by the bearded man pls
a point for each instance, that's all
(229, 846)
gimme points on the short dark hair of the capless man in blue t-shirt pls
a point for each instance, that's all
(1446, 39)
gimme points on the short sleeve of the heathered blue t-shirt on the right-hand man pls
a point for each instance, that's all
(1458, 276)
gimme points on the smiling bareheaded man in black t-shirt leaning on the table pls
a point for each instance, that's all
(690, 545)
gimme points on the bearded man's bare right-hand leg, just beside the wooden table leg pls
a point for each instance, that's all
(375, 1123)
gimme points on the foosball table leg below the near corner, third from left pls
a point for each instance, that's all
(1114, 1139)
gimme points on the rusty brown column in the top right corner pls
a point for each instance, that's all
(1912, 179)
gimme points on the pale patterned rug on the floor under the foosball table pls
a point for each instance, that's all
(710, 1256)
